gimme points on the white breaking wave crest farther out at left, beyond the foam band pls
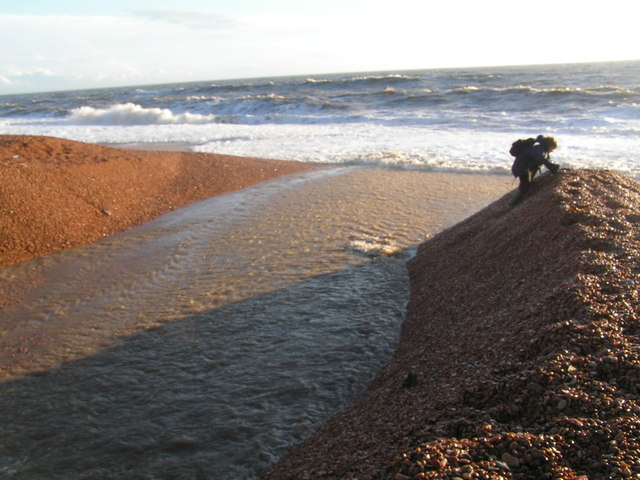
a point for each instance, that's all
(133, 114)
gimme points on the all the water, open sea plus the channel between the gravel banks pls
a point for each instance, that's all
(210, 341)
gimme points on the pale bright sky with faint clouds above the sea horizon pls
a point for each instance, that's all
(50, 45)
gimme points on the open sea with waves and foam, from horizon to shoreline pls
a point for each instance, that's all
(450, 119)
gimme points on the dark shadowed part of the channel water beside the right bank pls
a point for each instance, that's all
(219, 394)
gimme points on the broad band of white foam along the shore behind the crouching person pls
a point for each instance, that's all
(420, 147)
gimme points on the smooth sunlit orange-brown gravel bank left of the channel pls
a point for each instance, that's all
(56, 194)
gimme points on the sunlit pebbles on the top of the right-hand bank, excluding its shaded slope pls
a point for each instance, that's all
(583, 424)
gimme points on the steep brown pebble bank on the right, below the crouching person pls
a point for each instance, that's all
(520, 354)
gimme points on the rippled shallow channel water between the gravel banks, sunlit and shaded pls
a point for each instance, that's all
(209, 341)
